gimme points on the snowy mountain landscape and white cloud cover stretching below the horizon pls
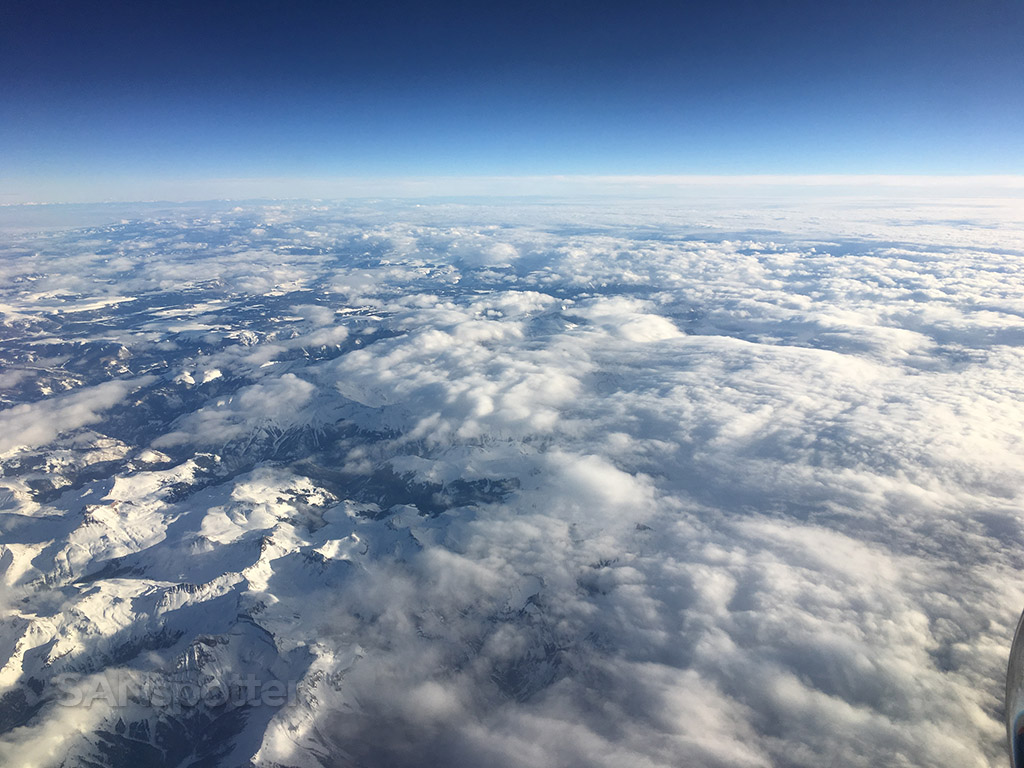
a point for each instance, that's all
(536, 485)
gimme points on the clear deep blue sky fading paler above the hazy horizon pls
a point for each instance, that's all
(102, 93)
